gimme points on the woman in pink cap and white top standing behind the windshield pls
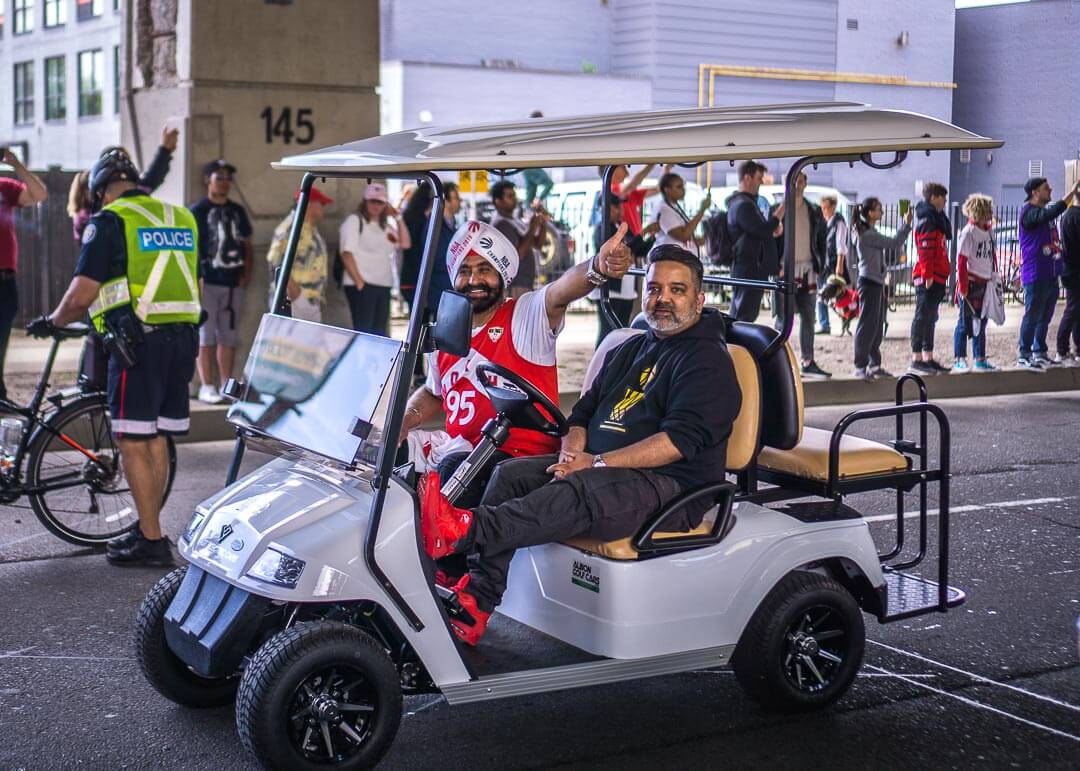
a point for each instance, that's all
(369, 240)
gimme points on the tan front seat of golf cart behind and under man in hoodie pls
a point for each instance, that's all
(742, 445)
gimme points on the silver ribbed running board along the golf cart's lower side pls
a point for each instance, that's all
(595, 673)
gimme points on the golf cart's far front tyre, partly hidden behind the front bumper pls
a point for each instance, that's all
(170, 677)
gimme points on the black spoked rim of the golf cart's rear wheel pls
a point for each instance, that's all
(816, 648)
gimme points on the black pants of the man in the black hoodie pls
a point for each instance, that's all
(523, 507)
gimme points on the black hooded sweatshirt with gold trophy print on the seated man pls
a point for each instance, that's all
(684, 386)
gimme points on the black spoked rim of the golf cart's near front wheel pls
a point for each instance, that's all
(332, 715)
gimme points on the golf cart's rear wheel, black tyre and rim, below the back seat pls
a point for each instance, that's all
(803, 646)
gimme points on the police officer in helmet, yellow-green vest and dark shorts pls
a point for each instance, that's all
(138, 278)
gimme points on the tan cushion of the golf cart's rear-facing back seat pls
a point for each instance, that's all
(809, 459)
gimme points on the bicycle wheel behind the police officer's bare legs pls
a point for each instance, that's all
(86, 504)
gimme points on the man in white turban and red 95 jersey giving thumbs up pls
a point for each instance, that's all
(519, 334)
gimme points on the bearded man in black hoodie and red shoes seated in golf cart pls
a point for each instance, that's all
(654, 424)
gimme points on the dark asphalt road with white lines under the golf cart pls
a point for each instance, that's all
(994, 684)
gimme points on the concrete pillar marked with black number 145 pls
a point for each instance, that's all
(252, 82)
